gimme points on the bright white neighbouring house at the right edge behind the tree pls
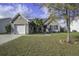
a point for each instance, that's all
(74, 26)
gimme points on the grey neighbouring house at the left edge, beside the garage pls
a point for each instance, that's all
(3, 23)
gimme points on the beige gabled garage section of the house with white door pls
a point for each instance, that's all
(20, 25)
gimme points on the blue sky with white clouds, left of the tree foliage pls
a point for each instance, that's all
(27, 9)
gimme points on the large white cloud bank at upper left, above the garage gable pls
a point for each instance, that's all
(11, 11)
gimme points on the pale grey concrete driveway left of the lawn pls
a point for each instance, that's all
(5, 38)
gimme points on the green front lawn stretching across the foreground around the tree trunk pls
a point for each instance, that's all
(41, 46)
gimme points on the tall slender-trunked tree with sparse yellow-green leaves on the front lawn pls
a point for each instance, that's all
(65, 8)
